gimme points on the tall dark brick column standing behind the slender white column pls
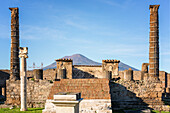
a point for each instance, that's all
(14, 60)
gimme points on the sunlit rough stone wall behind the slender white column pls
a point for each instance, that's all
(37, 92)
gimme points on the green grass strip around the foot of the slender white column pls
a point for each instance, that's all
(17, 110)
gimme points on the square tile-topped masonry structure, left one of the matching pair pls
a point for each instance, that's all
(64, 68)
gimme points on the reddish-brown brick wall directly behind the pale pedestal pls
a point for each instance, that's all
(89, 88)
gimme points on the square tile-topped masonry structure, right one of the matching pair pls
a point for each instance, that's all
(110, 68)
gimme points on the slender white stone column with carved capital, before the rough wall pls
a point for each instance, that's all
(23, 55)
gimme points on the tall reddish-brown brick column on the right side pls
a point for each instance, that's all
(154, 42)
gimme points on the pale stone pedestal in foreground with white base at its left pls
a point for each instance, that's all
(64, 103)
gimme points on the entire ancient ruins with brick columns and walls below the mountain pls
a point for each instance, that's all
(103, 87)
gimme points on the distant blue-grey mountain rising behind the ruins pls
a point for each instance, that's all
(79, 59)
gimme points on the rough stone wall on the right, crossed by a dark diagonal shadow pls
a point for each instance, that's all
(137, 94)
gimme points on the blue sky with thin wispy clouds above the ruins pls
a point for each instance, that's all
(98, 29)
